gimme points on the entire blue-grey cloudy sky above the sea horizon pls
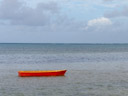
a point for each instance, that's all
(63, 21)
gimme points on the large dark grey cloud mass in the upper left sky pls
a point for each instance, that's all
(18, 13)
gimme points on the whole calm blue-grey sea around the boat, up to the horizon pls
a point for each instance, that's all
(92, 69)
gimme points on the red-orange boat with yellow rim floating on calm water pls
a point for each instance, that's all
(42, 73)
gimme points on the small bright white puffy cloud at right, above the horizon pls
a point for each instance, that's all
(98, 23)
